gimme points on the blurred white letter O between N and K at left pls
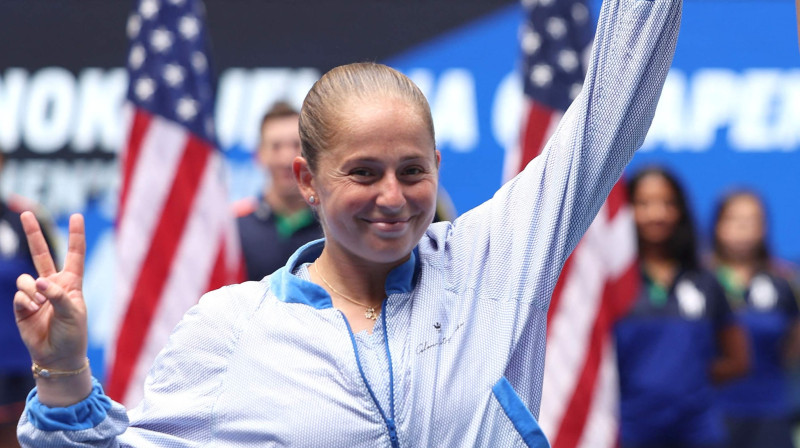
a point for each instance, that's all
(49, 111)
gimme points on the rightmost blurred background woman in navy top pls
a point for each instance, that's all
(757, 406)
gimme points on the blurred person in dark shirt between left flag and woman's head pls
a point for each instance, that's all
(272, 227)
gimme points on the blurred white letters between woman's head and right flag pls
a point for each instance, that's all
(453, 106)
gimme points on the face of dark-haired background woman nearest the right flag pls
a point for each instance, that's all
(655, 209)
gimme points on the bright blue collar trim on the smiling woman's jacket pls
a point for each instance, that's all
(290, 288)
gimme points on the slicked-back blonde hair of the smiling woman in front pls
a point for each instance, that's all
(321, 111)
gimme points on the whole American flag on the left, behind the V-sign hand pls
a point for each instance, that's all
(176, 238)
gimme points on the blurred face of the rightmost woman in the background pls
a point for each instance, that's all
(740, 229)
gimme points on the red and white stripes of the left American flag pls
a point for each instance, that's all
(176, 240)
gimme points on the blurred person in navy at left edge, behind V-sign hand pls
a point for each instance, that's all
(15, 363)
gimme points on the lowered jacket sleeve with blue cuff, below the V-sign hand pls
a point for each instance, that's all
(180, 390)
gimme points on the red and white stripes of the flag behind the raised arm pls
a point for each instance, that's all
(597, 285)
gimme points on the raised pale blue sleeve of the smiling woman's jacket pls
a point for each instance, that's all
(514, 245)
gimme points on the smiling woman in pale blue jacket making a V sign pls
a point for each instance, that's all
(390, 331)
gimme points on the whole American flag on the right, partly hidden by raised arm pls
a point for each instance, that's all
(599, 280)
